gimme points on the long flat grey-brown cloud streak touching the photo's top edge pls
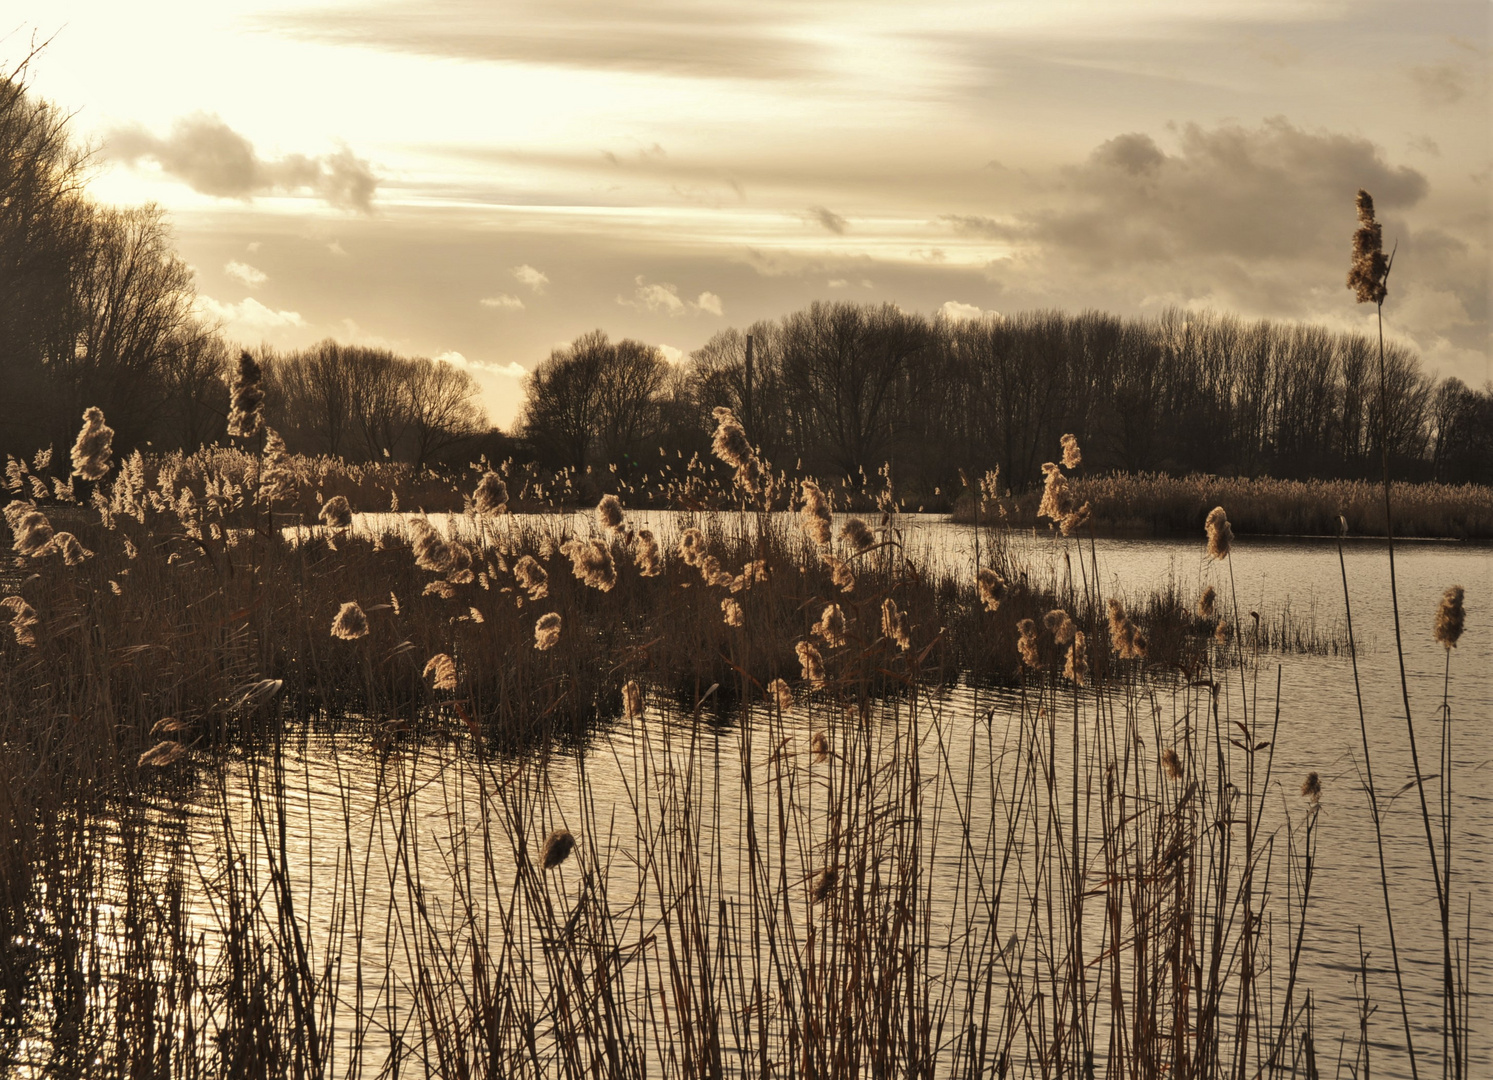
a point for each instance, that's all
(649, 37)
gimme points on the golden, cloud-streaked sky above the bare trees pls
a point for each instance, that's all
(487, 180)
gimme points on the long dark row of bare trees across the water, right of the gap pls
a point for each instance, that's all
(841, 389)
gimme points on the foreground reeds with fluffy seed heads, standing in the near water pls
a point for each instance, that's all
(326, 804)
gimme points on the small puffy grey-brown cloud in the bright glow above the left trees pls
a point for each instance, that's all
(211, 158)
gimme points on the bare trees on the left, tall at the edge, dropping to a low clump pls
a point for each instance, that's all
(98, 308)
